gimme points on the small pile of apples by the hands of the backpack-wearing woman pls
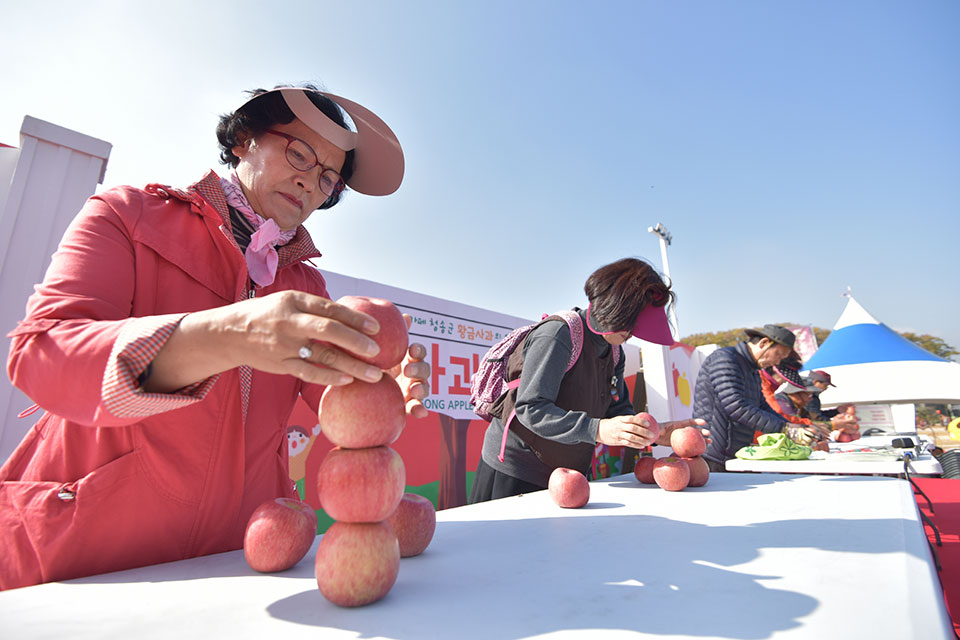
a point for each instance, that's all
(686, 468)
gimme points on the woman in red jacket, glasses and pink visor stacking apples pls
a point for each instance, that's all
(172, 335)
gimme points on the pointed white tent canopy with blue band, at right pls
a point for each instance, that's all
(870, 363)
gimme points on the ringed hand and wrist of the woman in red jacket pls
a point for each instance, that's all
(267, 334)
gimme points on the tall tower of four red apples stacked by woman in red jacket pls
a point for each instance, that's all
(361, 480)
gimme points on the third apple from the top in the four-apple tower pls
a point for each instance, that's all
(361, 485)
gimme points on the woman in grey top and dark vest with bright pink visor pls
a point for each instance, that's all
(556, 416)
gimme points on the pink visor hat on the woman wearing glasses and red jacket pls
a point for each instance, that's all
(377, 156)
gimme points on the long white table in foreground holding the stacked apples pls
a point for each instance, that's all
(747, 556)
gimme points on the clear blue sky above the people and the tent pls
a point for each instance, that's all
(792, 147)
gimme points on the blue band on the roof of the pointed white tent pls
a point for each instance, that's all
(868, 342)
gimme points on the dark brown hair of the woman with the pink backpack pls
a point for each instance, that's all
(619, 291)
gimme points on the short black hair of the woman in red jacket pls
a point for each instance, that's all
(256, 116)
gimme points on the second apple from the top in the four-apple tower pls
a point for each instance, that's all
(363, 414)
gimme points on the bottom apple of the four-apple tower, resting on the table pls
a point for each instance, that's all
(357, 563)
